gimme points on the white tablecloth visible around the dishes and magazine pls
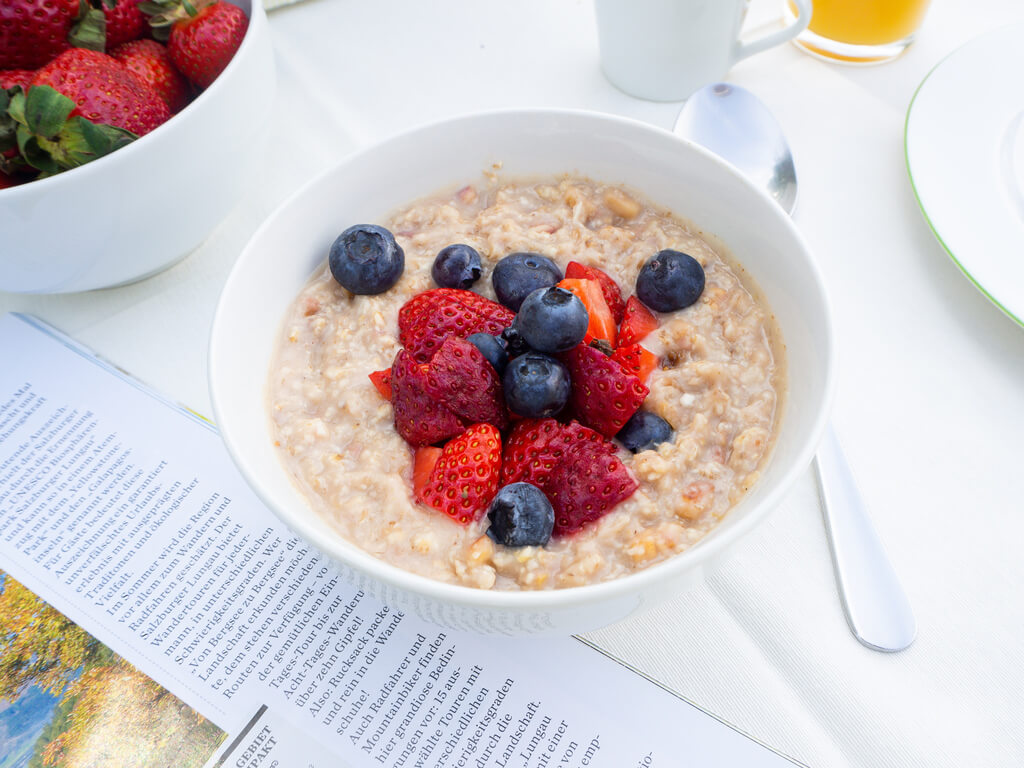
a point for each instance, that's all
(930, 404)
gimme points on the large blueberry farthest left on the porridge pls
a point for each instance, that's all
(366, 260)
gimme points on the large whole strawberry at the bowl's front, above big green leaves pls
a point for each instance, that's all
(104, 91)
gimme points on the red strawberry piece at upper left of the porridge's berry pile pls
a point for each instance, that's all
(426, 320)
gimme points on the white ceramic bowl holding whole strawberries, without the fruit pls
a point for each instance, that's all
(141, 209)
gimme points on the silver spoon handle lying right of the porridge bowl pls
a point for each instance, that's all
(876, 606)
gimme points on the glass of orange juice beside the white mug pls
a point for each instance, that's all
(861, 31)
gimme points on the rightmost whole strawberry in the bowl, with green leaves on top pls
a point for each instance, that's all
(202, 36)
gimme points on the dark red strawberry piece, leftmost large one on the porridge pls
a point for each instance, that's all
(419, 418)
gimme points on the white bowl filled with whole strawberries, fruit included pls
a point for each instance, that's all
(113, 114)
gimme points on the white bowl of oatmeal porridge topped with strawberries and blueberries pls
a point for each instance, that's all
(366, 473)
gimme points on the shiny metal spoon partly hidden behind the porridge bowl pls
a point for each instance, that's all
(734, 124)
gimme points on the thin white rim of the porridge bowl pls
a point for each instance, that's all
(633, 584)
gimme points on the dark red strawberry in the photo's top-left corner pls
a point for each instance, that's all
(33, 32)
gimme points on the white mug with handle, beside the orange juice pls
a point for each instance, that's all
(664, 51)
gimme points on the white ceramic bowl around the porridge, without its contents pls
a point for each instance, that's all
(369, 186)
